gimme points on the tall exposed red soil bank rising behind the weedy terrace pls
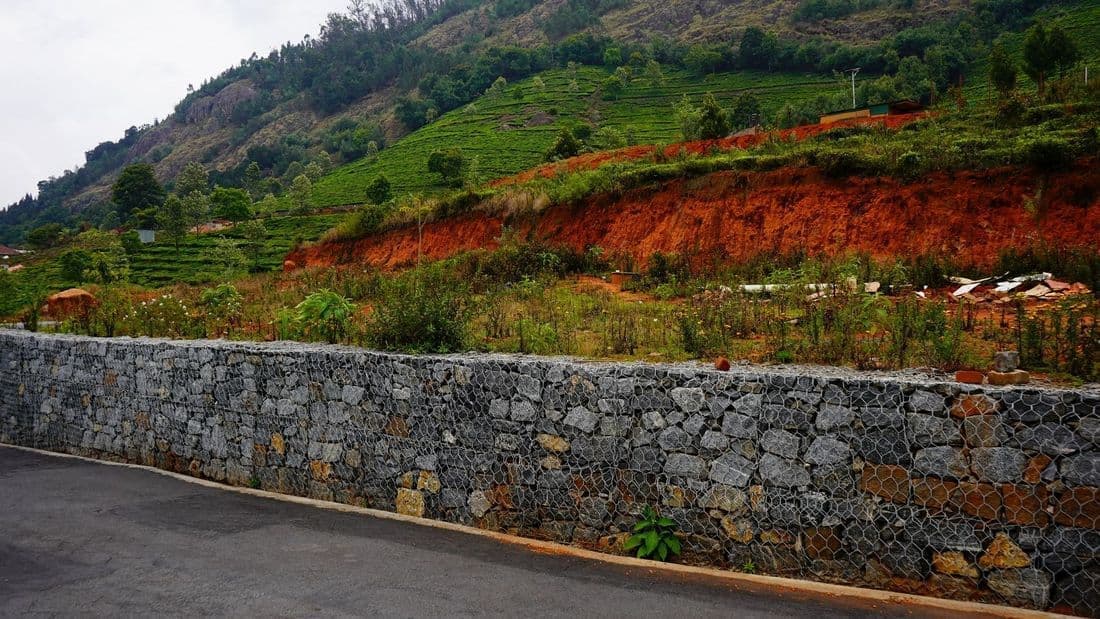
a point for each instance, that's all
(970, 216)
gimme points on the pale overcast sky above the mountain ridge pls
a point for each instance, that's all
(76, 73)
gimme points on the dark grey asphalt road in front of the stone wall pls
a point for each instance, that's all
(82, 538)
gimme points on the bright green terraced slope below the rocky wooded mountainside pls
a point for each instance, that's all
(498, 129)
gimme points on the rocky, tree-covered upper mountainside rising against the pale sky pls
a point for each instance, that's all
(285, 107)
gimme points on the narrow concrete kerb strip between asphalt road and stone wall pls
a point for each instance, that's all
(756, 582)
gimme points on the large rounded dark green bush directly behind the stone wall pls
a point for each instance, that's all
(422, 311)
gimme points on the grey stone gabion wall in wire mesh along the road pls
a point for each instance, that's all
(941, 489)
